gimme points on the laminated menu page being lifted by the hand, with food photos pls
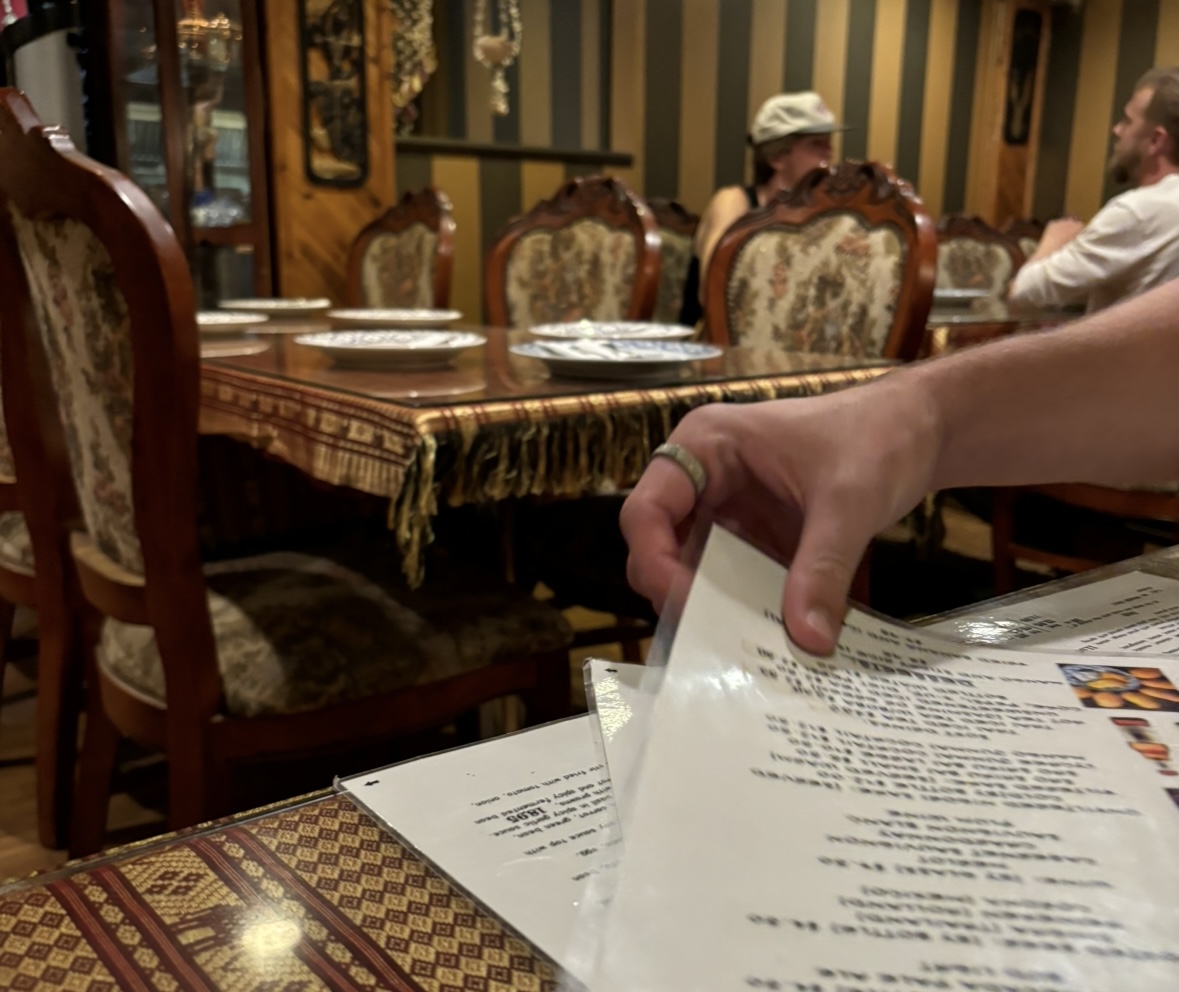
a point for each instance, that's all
(912, 813)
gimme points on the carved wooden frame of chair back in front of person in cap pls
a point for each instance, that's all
(867, 189)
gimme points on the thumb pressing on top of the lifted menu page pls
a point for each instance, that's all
(815, 600)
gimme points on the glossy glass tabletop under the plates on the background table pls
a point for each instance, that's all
(492, 372)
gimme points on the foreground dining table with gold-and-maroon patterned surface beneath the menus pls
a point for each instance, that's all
(308, 895)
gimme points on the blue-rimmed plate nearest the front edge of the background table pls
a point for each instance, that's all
(615, 359)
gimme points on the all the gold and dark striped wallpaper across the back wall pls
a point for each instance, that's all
(676, 82)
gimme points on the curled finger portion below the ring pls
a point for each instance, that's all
(663, 500)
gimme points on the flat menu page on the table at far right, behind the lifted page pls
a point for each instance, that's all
(1132, 614)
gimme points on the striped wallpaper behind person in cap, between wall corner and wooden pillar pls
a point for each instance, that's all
(901, 74)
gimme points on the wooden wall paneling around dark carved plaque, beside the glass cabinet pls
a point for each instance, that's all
(315, 225)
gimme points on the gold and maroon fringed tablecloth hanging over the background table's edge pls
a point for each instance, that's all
(472, 452)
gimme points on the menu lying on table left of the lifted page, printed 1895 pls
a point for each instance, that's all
(522, 822)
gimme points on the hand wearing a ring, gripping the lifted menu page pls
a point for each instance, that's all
(811, 482)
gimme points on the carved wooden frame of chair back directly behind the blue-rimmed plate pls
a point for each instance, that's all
(602, 198)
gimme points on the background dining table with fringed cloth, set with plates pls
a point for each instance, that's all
(491, 426)
